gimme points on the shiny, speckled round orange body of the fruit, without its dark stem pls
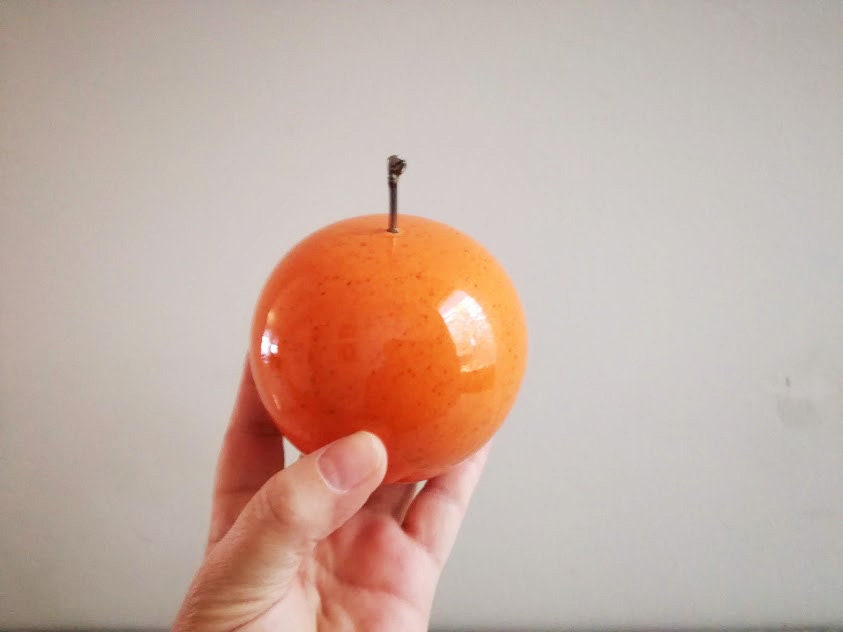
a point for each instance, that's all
(417, 336)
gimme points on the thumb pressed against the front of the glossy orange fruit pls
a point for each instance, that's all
(252, 566)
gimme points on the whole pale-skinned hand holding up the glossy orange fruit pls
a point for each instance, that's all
(322, 544)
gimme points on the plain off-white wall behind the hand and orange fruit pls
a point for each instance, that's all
(662, 181)
